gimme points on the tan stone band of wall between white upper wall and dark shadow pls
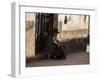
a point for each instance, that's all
(73, 34)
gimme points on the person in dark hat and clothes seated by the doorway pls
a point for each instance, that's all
(54, 47)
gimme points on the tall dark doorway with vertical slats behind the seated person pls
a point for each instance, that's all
(44, 27)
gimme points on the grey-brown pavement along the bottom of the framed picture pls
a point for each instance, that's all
(77, 58)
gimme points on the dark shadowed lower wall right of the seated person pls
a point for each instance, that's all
(76, 45)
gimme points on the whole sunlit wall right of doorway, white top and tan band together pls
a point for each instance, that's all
(76, 27)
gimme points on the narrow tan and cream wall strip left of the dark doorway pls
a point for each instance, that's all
(30, 35)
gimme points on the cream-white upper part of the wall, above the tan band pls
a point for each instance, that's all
(74, 22)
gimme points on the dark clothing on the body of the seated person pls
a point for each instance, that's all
(54, 51)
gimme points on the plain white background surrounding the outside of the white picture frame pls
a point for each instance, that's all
(5, 39)
